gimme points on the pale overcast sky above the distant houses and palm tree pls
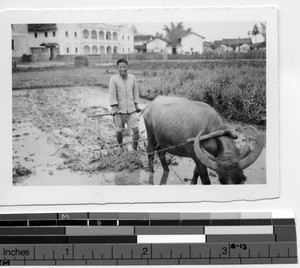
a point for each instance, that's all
(210, 30)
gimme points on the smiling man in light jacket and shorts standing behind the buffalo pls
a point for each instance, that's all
(124, 98)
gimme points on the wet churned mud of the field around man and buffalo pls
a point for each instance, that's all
(54, 143)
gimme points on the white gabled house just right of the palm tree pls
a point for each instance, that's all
(190, 43)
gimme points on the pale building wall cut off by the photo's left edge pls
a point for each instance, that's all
(20, 43)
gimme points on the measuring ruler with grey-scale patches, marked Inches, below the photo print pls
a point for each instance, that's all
(147, 238)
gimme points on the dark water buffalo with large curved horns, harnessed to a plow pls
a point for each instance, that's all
(171, 121)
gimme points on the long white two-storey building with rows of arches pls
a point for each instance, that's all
(82, 39)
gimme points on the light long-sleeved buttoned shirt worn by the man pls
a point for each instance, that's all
(124, 93)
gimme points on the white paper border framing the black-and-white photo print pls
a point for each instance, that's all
(55, 195)
